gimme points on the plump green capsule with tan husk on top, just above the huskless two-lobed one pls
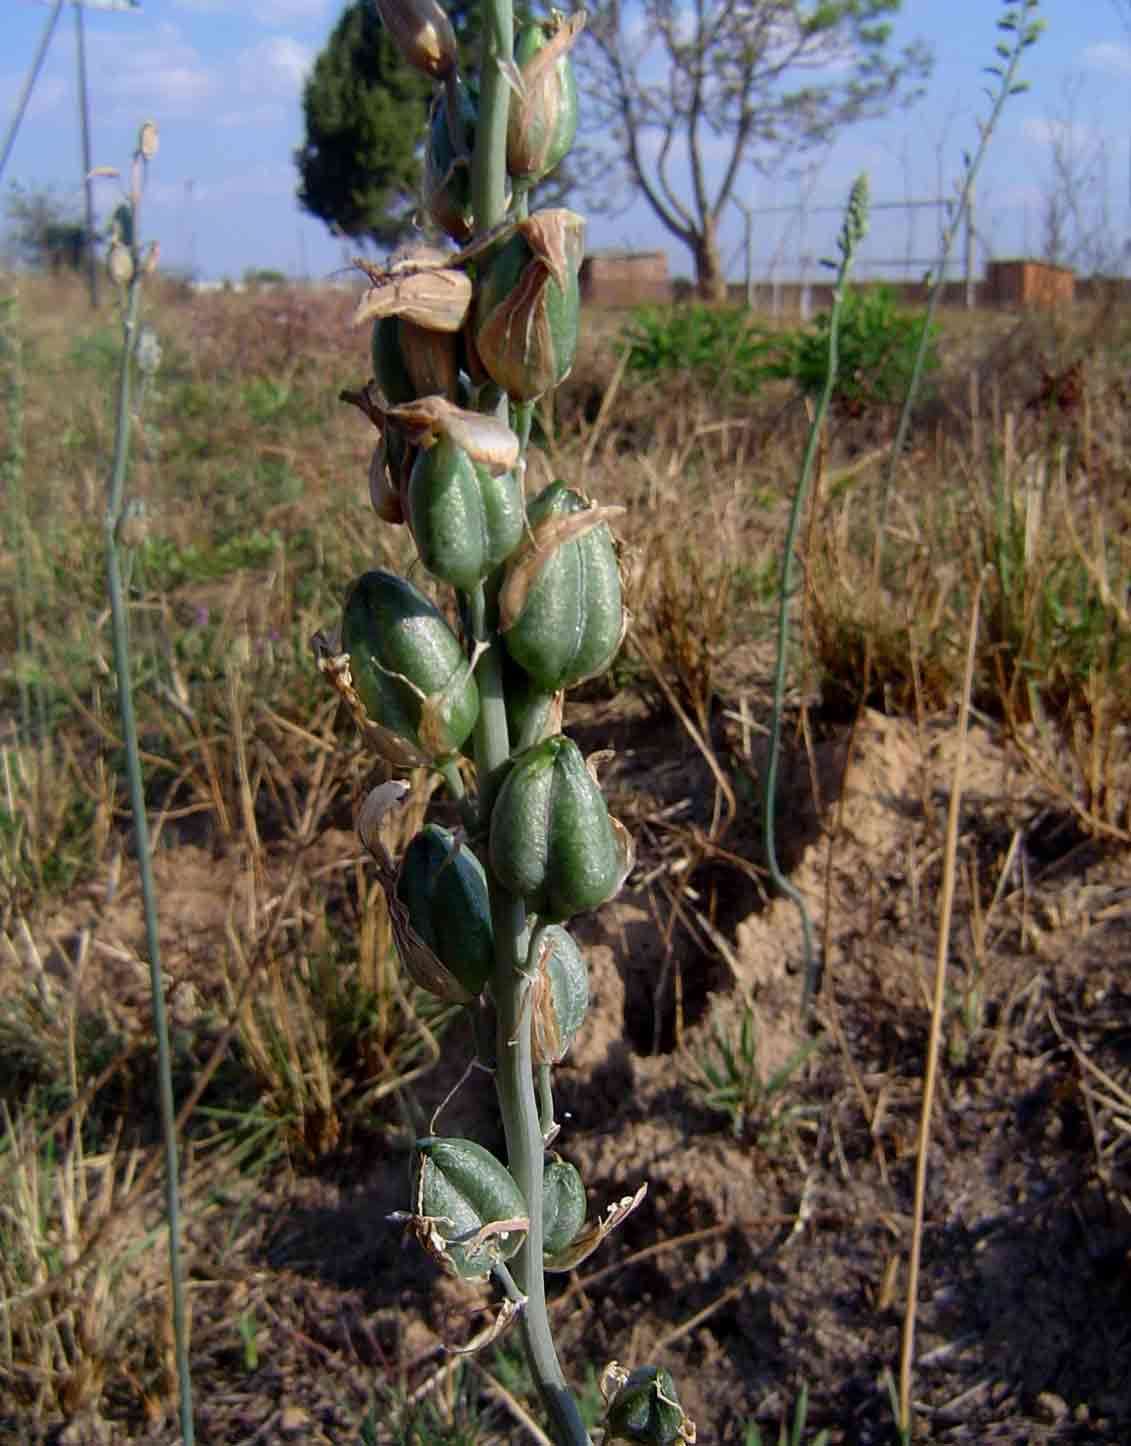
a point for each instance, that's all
(563, 612)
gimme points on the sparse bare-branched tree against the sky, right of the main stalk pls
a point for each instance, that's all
(692, 93)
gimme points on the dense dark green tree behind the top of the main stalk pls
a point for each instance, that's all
(365, 114)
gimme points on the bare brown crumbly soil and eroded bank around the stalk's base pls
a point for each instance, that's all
(776, 1256)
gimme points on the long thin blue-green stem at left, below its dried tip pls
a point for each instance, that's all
(119, 618)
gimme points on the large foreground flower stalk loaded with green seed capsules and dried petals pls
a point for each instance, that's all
(465, 343)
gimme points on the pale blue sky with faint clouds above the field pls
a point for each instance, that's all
(223, 82)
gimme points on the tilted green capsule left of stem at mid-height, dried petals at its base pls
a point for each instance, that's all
(407, 666)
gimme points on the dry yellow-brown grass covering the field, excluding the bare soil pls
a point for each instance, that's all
(293, 1020)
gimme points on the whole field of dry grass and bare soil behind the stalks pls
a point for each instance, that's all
(772, 1252)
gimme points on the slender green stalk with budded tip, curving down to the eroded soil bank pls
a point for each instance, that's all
(814, 965)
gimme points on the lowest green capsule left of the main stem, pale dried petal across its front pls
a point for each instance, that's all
(468, 1210)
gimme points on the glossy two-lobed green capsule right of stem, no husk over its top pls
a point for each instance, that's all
(552, 838)
